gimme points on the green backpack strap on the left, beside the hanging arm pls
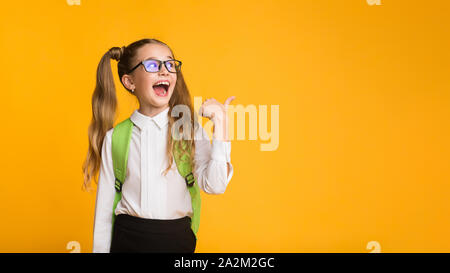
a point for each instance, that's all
(120, 146)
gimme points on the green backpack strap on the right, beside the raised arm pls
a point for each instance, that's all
(184, 165)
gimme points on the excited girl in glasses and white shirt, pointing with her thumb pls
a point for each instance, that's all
(155, 210)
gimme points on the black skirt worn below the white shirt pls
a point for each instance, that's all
(134, 234)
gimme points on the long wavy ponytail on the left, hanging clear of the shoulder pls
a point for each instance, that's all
(104, 104)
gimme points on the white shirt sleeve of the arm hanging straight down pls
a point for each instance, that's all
(105, 199)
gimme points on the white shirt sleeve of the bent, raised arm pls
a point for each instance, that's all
(211, 163)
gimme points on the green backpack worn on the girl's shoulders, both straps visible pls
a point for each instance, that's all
(120, 147)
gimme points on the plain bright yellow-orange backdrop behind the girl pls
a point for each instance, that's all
(364, 104)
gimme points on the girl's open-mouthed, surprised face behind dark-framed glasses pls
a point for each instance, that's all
(152, 97)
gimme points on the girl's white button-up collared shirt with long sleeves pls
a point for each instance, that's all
(146, 192)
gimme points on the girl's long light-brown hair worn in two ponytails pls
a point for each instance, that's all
(104, 105)
